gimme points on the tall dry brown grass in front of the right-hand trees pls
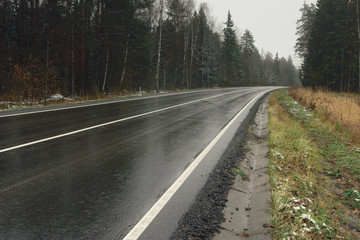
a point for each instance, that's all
(341, 109)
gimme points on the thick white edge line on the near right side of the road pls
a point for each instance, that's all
(140, 227)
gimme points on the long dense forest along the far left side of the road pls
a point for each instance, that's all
(82, 47)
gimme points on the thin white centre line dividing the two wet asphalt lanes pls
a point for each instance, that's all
(109, 123)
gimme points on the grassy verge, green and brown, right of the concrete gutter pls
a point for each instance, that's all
(314, 165)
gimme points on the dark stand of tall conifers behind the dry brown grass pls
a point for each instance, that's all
(329, 44)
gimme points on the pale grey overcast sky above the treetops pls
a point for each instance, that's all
(272, 22)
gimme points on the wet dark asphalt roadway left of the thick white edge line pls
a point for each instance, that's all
(98, 183)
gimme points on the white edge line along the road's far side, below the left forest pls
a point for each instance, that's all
(93, 105)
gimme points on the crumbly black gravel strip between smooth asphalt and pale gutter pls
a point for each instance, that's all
(205, 216)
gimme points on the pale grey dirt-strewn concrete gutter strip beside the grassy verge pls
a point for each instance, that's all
(246, 211)
